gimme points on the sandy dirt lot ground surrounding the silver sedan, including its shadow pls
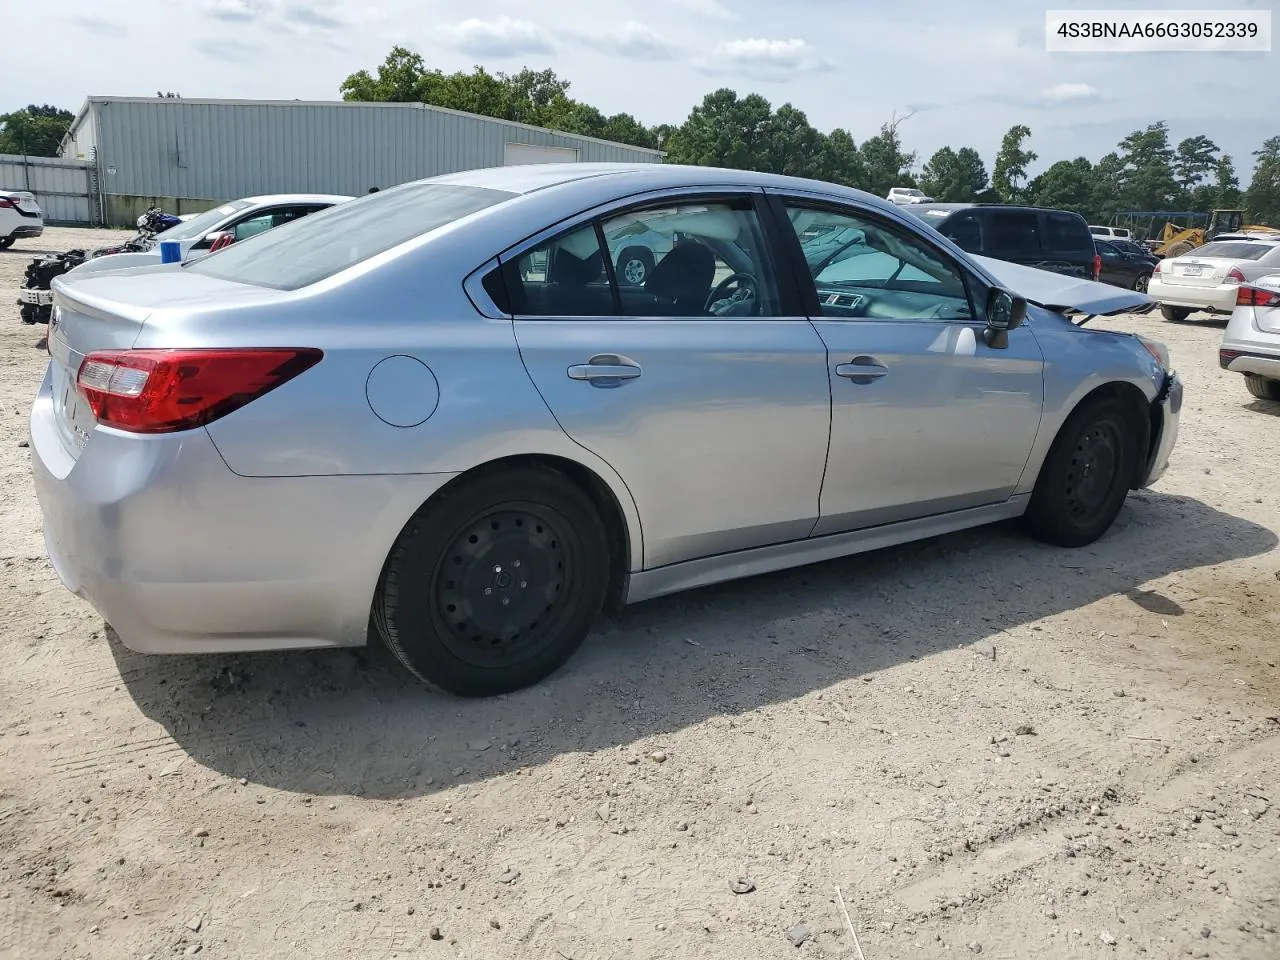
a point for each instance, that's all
(986, 744)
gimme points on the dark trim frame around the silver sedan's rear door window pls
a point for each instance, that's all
(790, 303)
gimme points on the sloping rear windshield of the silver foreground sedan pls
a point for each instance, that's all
(327, 243)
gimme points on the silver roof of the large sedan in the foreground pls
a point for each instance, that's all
(642, 177)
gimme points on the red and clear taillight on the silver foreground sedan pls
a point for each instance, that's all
(164, 391)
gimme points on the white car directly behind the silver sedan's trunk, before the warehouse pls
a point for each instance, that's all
(225, 225)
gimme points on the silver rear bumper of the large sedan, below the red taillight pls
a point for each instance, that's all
(180, 555)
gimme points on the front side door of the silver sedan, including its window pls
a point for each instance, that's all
(926, 417)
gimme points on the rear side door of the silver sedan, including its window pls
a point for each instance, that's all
(700, 387)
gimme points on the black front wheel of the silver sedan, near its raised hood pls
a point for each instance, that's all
(1086, 477)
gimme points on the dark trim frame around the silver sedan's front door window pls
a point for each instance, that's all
(779, 202)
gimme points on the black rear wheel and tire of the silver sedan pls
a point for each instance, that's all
(493, 587)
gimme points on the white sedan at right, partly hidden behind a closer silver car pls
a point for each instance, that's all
(1209, 278)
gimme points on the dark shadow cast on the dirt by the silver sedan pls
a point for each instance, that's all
(351, 723)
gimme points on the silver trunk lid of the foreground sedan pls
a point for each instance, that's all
(108, 312)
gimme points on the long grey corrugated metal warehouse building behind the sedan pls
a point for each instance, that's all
(189, 156)
